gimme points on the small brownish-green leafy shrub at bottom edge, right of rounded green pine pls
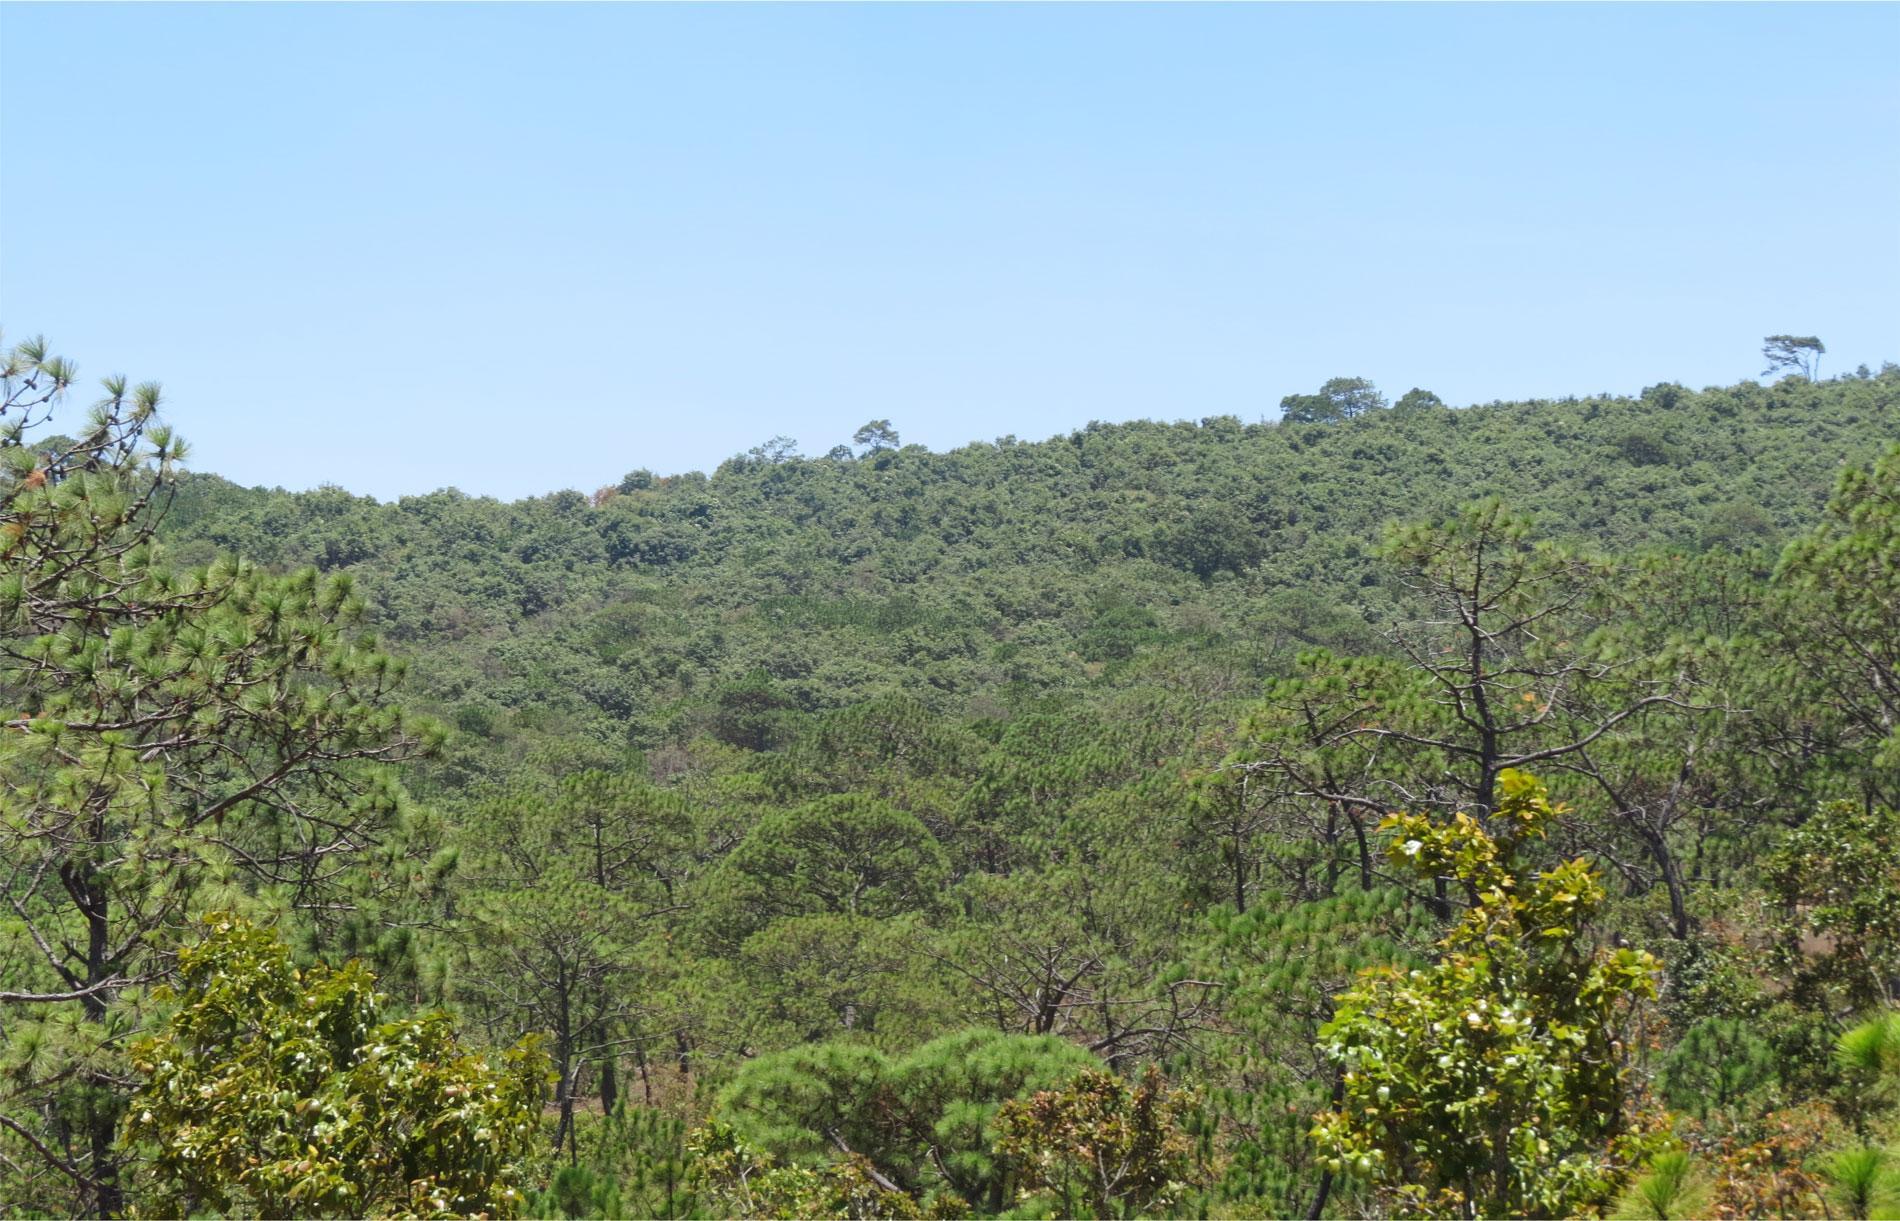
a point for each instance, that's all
(1099, 1148)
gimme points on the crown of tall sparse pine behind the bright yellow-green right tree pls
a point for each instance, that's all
(1519, 652)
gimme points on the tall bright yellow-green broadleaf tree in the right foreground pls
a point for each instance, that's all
(1494, 1081)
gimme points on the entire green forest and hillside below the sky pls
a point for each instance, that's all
(1394, 810)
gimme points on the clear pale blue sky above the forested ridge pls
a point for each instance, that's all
(516, 250)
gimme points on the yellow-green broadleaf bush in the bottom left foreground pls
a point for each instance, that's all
(282, 1093)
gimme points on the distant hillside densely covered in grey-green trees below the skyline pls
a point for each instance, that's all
(660, 609)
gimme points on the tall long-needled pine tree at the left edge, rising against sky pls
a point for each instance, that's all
(168, 738)
